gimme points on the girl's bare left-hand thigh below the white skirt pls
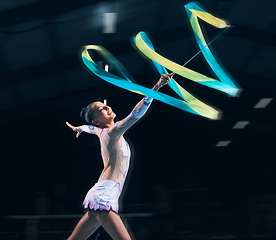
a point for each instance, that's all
(87, 225)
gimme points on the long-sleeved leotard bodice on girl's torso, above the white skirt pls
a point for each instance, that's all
(115, 150)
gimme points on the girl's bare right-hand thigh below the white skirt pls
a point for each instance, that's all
(113, 224)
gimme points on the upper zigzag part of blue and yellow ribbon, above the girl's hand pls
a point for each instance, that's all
(226, 84)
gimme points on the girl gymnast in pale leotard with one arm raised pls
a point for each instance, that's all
(101, 201)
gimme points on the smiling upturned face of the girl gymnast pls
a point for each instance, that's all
(102, 114)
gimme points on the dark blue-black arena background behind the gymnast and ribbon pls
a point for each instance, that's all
(190, 177)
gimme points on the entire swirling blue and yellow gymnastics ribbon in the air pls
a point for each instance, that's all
(190, 104)
